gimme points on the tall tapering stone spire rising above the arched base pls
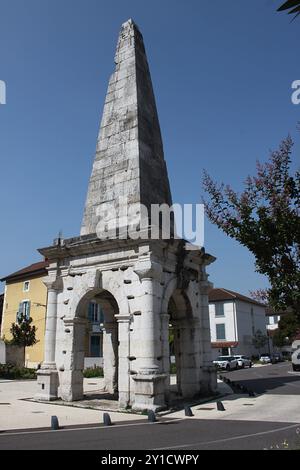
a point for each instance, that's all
(129, 161)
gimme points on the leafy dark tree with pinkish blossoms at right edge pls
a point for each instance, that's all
(265, 218)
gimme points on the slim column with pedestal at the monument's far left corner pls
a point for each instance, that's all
(47, 376)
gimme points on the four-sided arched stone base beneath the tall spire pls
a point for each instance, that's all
(138, 279)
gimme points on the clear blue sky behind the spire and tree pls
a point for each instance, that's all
(222, 73)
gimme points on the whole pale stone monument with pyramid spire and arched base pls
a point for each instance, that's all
(141, 285)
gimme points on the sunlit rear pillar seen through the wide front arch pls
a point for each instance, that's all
(110, 357)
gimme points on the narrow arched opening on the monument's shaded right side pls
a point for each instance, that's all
(180, 316)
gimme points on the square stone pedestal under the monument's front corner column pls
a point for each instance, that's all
(149, 392)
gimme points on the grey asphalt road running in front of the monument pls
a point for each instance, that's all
(175, 432)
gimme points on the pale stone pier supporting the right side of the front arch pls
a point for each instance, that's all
(124, 380)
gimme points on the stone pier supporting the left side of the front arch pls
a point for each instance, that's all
(71, 371)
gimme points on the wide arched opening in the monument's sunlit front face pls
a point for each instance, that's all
(97, 344)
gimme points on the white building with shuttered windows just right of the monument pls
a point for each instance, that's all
(234, 320)
